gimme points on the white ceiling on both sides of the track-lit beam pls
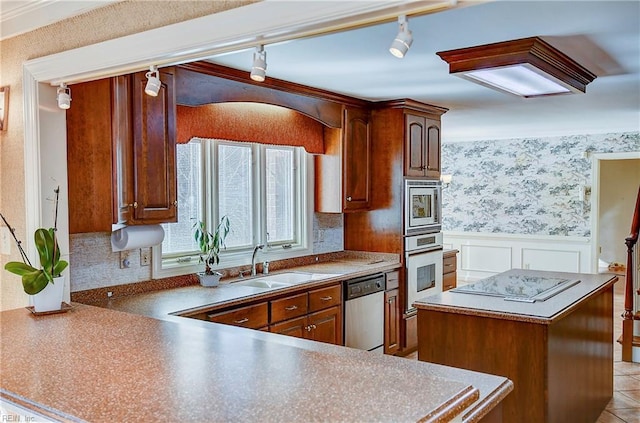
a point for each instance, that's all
(604, 36)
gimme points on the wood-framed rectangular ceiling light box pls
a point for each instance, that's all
(529, 67)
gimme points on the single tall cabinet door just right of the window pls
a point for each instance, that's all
(356, 159)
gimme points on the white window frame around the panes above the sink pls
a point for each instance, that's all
(182, 264)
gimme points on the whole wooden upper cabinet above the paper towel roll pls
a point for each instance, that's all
(121, 153)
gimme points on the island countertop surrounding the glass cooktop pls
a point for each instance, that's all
(544, 312)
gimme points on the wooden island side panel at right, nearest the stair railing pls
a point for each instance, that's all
(581, 361)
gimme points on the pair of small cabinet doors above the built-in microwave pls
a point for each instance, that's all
(422, 144)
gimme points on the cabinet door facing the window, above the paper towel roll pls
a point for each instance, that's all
(154, 162)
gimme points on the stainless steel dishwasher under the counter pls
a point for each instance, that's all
(364, 313)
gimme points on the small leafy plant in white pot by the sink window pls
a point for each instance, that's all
(210, 245)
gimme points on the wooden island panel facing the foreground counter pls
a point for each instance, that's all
(509, 348)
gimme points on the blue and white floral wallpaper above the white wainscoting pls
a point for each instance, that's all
(524, 186)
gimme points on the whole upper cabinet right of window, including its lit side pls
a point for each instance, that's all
(343, 172)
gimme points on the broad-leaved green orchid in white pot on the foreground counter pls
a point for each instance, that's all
(45, 284)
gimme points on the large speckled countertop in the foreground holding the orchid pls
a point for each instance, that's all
(100, 365)
